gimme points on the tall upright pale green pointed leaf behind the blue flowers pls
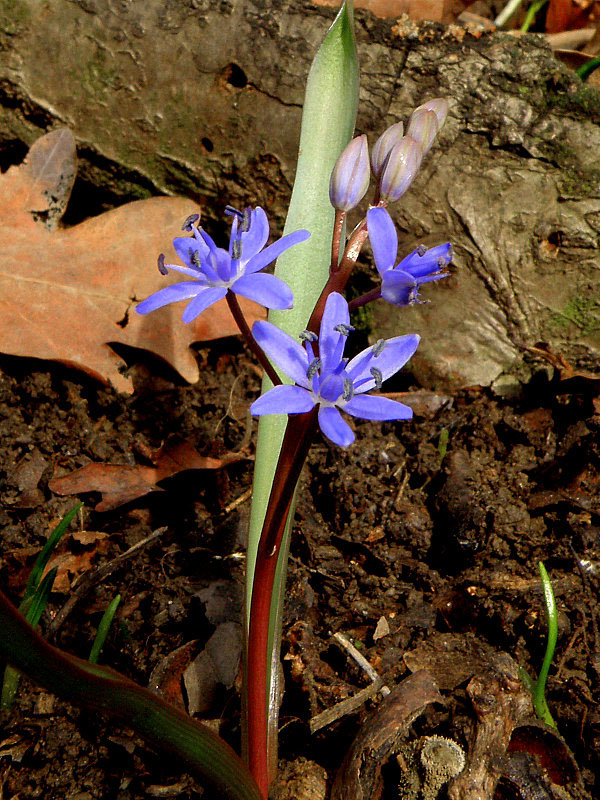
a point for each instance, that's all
(328, 120)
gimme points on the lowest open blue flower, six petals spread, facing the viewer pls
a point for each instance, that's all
(330, 380)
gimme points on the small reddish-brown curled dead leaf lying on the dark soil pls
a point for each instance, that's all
(122, 483)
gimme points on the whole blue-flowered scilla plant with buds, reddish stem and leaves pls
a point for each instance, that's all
(311, 386)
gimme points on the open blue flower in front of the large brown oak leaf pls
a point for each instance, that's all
(215, 271)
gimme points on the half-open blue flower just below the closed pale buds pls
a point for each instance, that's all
(400, 284)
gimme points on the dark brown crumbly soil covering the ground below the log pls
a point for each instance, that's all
(387, 528)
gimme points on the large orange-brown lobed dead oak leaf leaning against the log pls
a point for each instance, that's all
(67, 294)
